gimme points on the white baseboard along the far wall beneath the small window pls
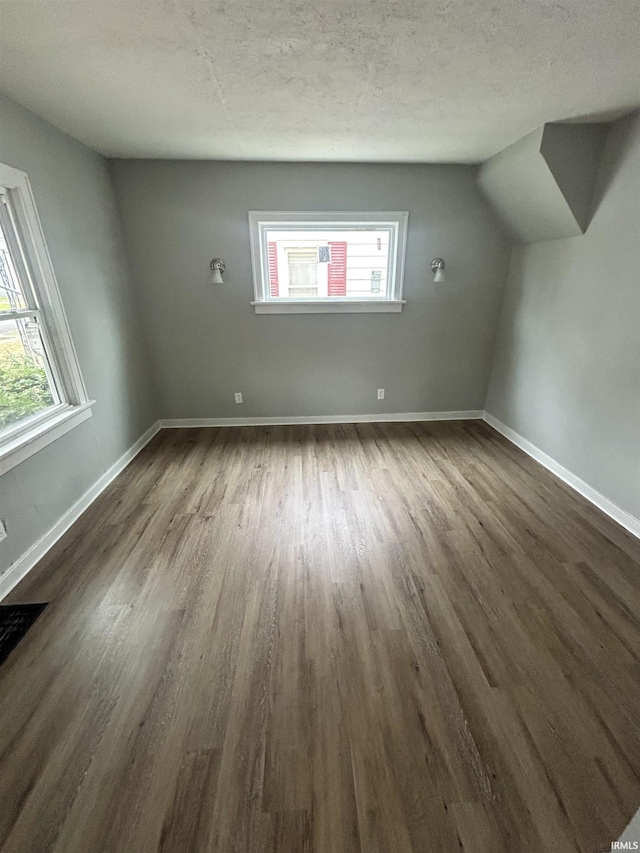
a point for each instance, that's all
(395, 417)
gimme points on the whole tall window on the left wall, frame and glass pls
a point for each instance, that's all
(41, 390)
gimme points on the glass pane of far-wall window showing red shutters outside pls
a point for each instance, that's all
(327, 263)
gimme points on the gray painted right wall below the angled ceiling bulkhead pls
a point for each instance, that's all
(566, 374)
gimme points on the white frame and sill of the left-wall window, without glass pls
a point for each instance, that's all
(30, 435)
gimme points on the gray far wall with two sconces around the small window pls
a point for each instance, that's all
(206, 341)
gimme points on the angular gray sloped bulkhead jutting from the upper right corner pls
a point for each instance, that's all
(542, 186)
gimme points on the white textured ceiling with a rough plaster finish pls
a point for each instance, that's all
(368, 80)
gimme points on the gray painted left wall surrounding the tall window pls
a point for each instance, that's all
(75, 200)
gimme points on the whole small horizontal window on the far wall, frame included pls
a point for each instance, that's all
(327, 262)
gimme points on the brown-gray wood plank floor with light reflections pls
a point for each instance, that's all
(373, 638)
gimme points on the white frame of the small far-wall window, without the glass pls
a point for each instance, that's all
(261, 221)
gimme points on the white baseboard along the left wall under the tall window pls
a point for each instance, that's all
(27, 561)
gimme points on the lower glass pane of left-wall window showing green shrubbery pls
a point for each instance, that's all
(26, 386)
